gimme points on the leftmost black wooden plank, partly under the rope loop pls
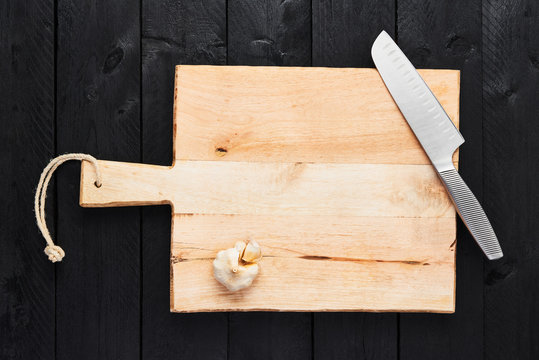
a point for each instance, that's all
(26, 144)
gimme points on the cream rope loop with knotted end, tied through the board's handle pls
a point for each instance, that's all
(53, 251)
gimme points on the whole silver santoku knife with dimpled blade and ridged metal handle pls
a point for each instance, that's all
(436, 133)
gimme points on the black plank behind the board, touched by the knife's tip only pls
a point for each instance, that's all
(343, 32)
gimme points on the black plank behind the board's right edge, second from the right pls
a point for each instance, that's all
(447, 34)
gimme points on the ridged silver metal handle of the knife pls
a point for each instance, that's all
(472, 214)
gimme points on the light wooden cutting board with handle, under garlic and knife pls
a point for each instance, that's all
(318, 166)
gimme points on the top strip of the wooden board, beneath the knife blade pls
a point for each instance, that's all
(298, 115)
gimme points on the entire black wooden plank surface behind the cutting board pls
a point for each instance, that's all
(97, 77)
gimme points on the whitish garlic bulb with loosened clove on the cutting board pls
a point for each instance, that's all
(237, 267)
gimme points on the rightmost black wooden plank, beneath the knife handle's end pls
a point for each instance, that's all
(511, 170)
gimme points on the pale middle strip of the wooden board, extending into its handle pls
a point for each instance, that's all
(272, 189)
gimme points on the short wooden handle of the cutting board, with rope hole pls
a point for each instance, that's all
(124, 184)
